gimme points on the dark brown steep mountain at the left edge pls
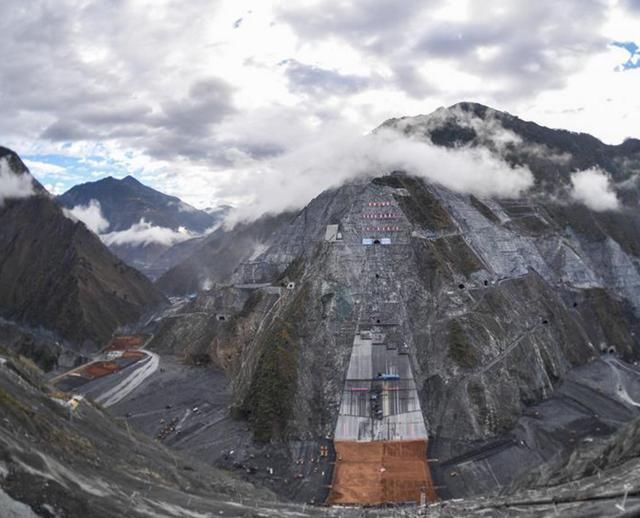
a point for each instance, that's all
(56, 274)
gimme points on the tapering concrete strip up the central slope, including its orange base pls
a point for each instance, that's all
(380, 438)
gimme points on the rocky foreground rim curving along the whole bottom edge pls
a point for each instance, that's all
(64, 457)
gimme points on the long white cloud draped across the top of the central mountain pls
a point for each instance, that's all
(339, 154)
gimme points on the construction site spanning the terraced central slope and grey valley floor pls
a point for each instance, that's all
(395, 402)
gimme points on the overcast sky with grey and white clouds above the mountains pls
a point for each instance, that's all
(201, 98)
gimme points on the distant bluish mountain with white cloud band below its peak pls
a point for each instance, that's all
(139, 223)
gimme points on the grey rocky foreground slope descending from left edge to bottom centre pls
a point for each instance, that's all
(59, 459)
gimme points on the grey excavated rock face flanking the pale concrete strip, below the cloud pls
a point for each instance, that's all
(481, 305)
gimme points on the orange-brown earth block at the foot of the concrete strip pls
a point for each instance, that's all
(373, 473)
